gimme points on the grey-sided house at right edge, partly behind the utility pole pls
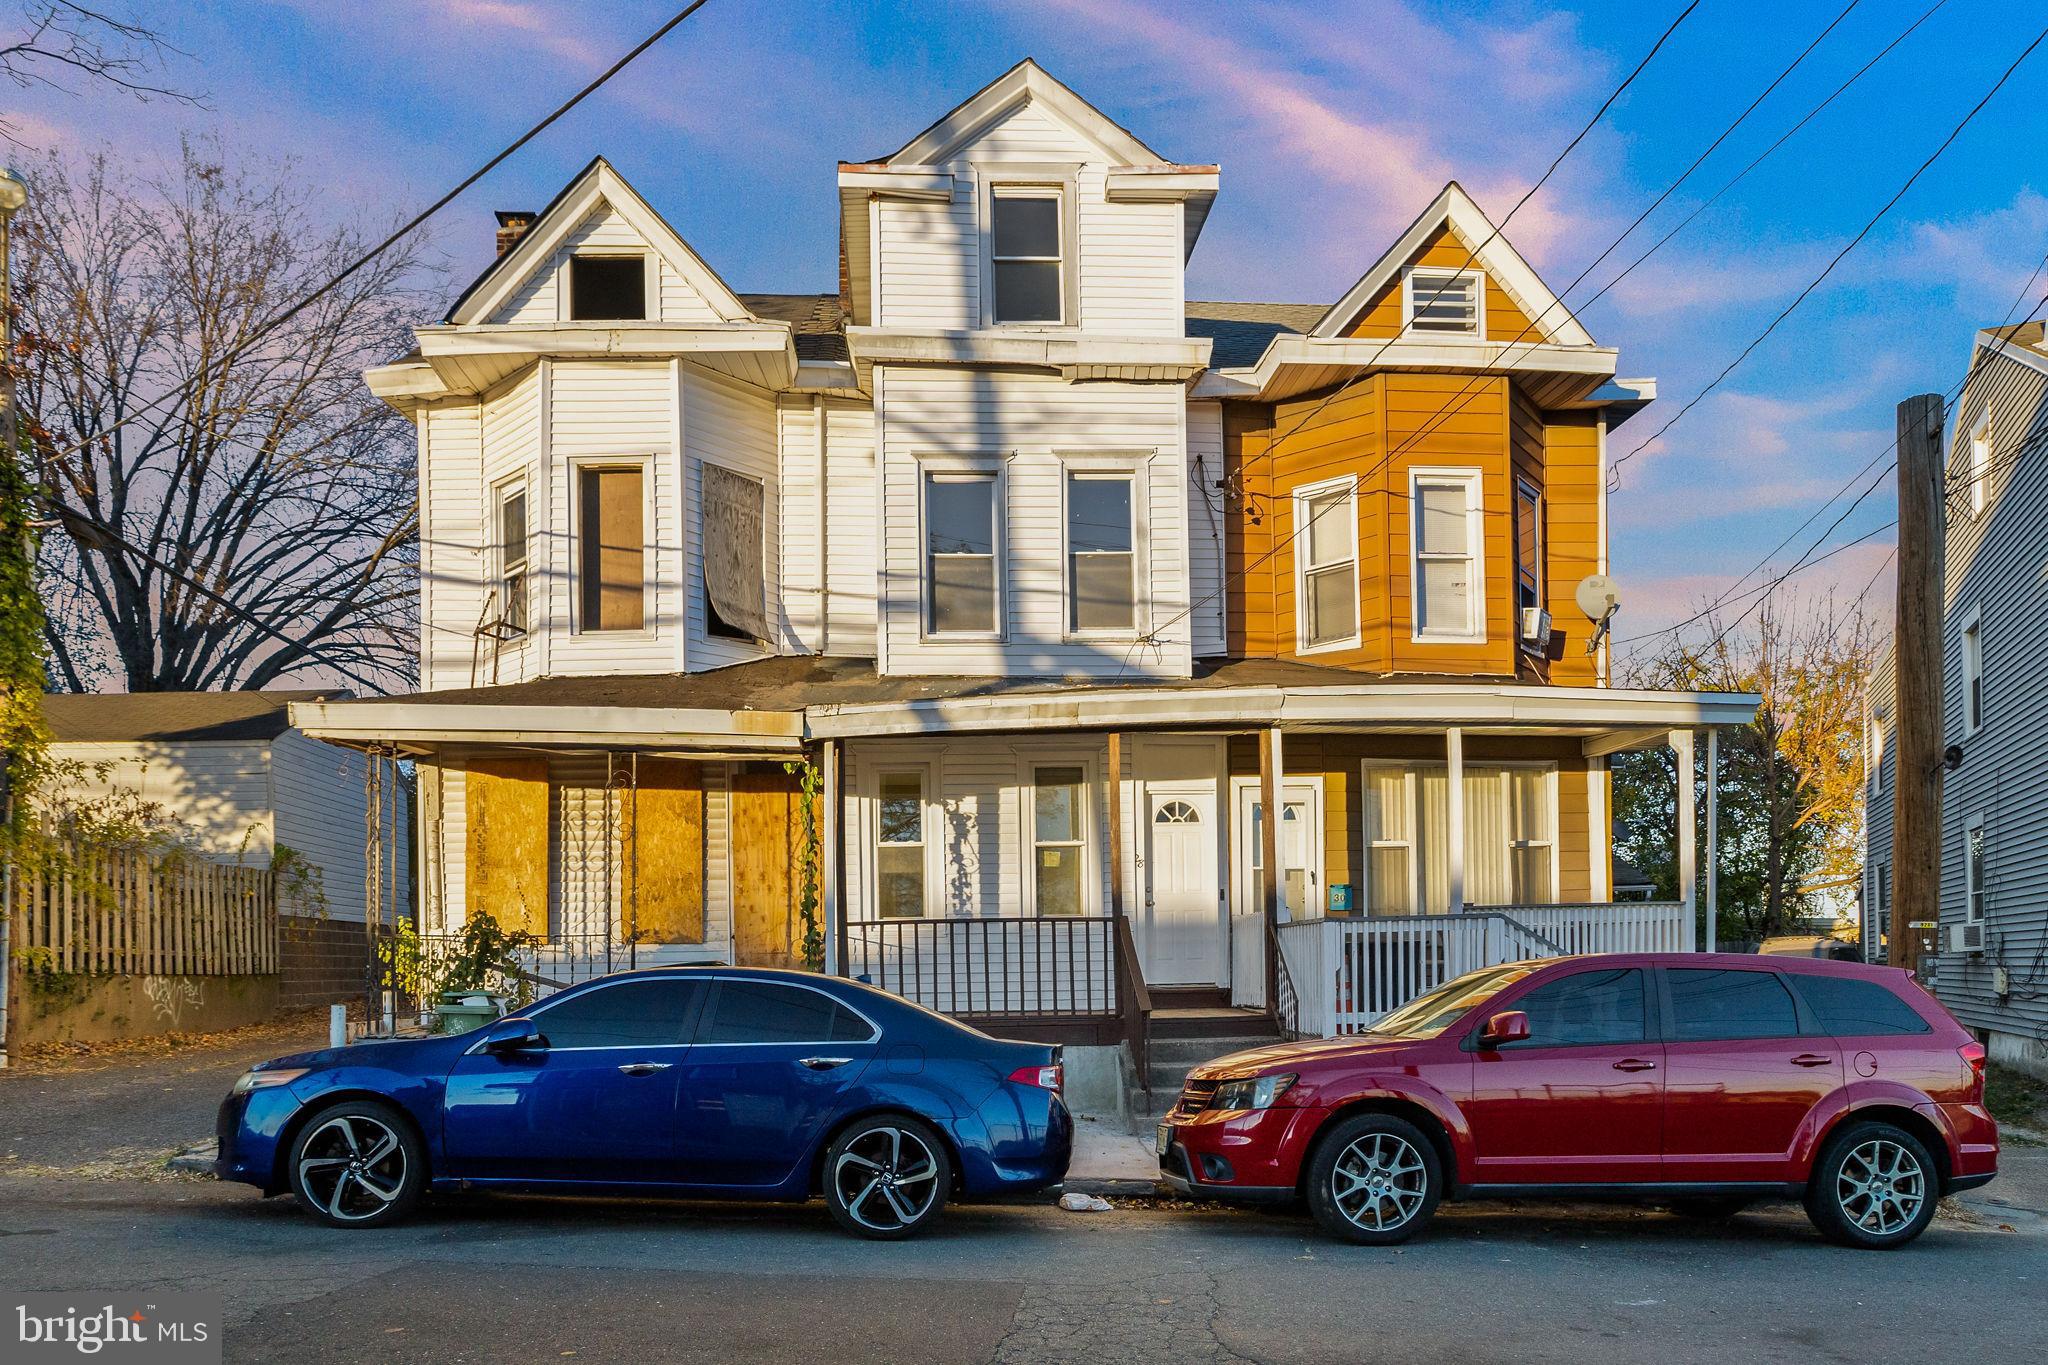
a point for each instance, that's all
(1988, 957)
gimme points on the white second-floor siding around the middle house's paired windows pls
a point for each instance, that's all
(1029, 423)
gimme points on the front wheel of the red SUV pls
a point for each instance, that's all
(1375, 1180)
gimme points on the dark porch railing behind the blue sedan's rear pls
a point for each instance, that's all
(1013, 965)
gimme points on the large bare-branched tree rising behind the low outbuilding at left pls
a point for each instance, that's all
(191, 453)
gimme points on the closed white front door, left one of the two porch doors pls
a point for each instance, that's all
(1183, 914)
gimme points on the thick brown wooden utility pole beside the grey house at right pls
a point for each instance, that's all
(1918, 654)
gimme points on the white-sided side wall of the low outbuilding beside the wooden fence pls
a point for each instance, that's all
(323, 813)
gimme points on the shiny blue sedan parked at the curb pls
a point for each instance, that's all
(683, 1082)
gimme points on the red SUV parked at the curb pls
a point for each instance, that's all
(1705, 1080)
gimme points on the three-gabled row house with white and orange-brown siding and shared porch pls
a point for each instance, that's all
(1054, 578)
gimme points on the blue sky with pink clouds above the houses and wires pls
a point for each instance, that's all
(1334, 124)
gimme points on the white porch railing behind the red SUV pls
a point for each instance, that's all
(1347, 973)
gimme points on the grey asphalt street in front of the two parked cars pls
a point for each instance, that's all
(552, 1280)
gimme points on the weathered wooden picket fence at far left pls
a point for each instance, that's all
(126, 912)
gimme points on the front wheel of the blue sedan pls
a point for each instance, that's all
(357, 1165)
